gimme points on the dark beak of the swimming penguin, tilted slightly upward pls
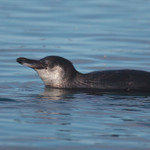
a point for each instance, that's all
(34, 64)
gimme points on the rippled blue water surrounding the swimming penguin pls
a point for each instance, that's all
(94, 35)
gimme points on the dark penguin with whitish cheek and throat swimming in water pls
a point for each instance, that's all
(58, 72)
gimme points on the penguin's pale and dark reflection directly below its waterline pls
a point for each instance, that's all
(64, 94)
